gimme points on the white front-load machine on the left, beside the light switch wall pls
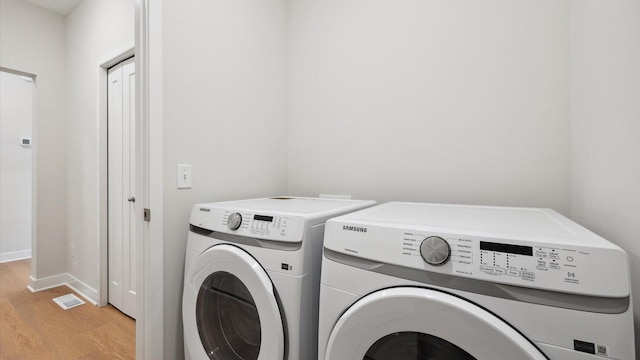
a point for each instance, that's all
(252, 277)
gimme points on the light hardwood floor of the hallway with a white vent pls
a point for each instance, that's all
(32, 326)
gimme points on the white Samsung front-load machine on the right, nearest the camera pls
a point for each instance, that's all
(429, 281)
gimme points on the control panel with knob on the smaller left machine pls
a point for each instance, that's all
(246, 223)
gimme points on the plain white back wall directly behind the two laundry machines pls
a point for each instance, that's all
(435, 101)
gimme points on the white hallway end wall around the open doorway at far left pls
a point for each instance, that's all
(32, 40)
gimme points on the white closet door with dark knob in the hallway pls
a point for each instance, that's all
(122, 204)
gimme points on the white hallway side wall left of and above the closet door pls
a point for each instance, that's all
(97, 31)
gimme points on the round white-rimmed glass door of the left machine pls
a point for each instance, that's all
(230, 308)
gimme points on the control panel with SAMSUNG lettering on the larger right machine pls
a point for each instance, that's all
(544, 265)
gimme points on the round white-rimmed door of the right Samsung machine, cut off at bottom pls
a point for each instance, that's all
(408, 323)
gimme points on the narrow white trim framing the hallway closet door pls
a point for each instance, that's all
(103, 105)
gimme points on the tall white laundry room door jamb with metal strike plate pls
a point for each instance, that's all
(148, 43)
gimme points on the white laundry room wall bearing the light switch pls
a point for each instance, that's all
(224, 113)
